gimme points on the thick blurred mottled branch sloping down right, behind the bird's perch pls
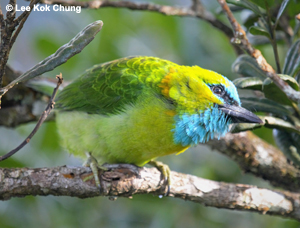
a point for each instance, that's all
(260, 158)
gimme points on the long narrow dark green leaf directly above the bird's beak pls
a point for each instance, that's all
(264, 105)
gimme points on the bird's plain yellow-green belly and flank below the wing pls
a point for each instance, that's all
(138, 134)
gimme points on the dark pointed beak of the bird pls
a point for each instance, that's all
(239, 114)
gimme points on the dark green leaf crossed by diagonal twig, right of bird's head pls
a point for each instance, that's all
(272, 92)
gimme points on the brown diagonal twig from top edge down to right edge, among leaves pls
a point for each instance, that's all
(241, 39)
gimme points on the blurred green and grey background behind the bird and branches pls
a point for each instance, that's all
(186, 41)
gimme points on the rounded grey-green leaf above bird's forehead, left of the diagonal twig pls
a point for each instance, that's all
(247, 66)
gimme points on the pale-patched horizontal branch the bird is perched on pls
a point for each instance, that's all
(125, 180)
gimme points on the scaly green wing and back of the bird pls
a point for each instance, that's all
(108, 87)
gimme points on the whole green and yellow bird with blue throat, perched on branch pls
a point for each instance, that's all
(136, 109)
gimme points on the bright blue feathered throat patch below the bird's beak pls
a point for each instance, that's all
(199, 128)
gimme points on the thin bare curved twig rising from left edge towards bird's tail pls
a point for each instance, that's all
(43, 117)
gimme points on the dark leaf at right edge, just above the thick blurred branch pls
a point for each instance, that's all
(288, 143)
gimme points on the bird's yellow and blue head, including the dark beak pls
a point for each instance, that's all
(207, 103)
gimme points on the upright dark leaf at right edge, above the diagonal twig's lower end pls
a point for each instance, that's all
(292, 60)
